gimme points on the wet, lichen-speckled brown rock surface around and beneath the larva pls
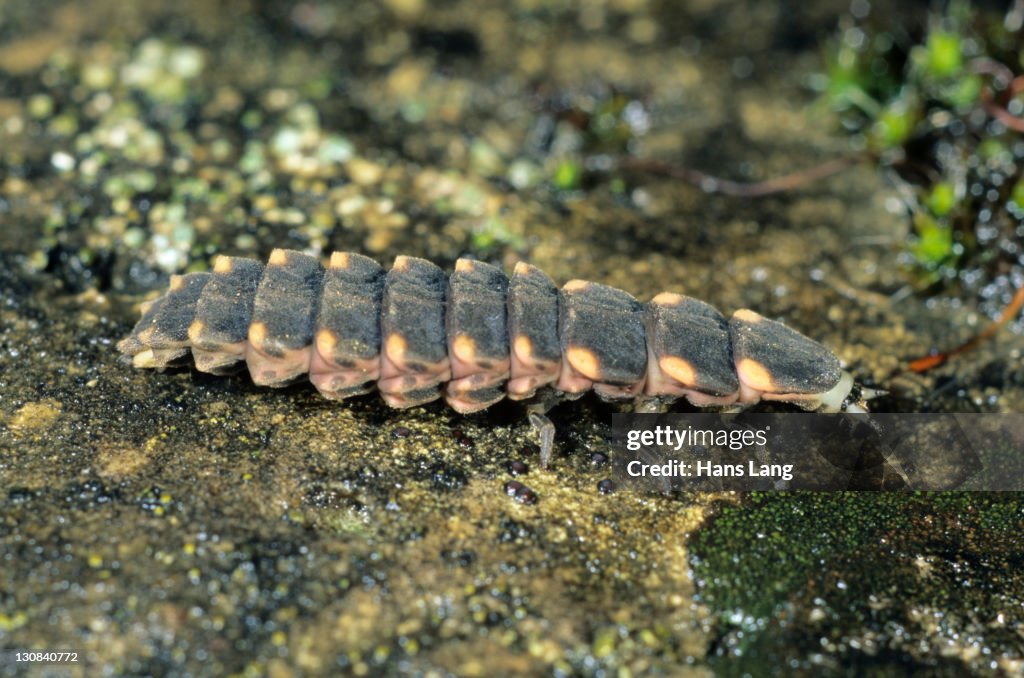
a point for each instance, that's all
(182, 524)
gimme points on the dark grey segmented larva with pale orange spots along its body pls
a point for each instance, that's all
(476, 337)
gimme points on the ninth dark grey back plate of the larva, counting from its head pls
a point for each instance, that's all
(226, 306)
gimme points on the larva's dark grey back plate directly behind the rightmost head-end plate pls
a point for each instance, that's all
(699, 334)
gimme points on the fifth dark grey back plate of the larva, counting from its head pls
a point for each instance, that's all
(477, 309)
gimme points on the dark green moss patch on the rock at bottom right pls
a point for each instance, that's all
(785, 570)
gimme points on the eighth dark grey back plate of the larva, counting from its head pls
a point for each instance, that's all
(287, 301)
